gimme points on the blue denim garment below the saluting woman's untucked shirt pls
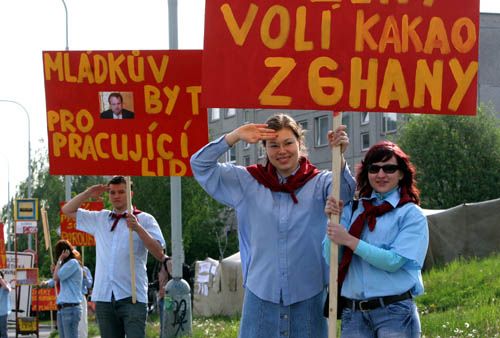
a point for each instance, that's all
(263, 319)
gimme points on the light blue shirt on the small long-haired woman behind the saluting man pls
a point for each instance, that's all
(70, 277)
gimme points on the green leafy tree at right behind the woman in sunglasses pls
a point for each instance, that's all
(457, 157)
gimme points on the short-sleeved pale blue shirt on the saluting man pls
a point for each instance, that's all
(112, 271)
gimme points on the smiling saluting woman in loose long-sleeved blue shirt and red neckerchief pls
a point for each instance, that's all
(281, 225)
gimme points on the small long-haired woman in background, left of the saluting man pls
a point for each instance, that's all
(68, 273)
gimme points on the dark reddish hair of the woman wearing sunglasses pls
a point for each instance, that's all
(383, 151)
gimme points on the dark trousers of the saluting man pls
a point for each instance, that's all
(120, 317)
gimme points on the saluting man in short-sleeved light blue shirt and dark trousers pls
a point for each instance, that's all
(116, 313)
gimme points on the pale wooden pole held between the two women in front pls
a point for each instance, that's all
(334, 252)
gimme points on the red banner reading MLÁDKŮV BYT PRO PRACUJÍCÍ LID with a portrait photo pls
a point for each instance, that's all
(162, 123)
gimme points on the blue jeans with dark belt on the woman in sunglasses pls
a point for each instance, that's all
(397, 320)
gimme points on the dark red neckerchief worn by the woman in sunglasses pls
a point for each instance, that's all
(370, 214)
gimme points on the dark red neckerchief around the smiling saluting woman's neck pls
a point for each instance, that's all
(268, 177)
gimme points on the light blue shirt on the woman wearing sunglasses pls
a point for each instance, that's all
(404, 235)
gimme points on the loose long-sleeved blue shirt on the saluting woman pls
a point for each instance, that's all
(280, 241)
